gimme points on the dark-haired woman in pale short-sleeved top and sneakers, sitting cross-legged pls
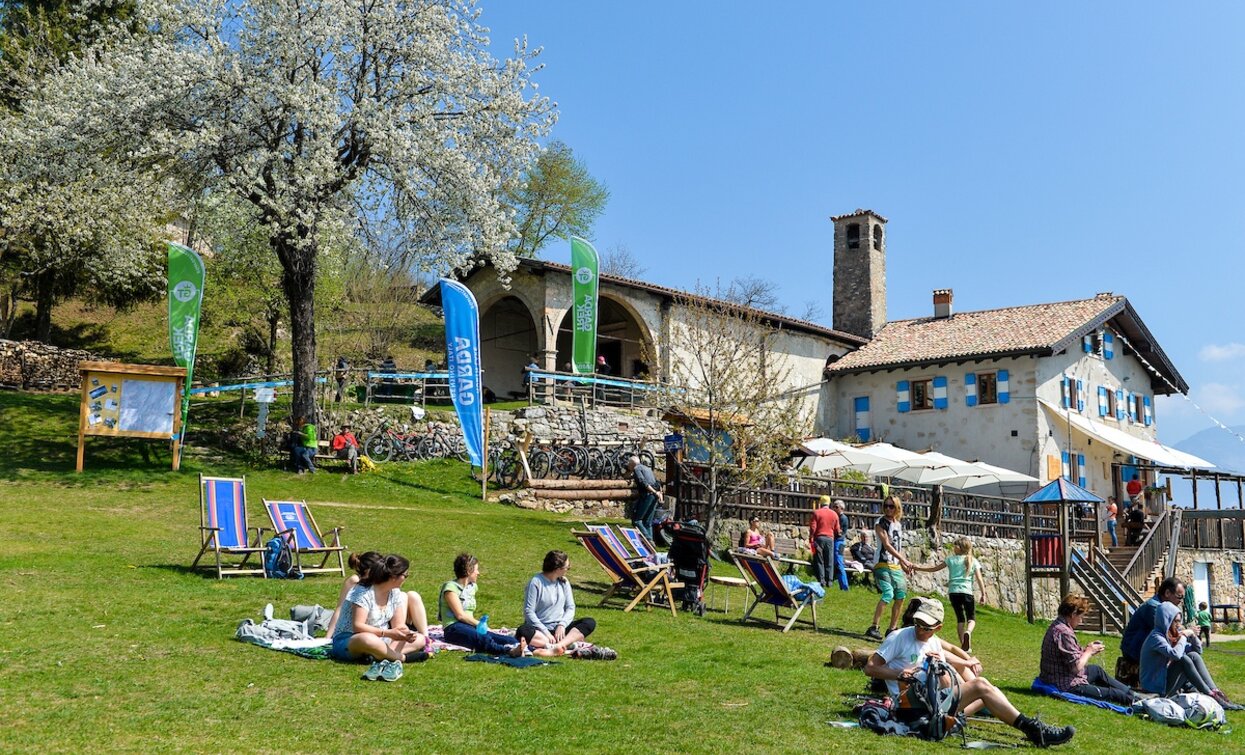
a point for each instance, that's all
(373, 622)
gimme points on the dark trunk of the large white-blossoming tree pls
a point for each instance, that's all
(298, 280)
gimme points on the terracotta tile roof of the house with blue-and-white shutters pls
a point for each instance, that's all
(1012, 331)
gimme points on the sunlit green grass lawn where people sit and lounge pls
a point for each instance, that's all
(113, 643)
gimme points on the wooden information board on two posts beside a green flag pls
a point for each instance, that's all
(131, 401)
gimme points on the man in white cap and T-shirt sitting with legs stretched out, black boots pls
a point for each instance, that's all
(900, 661)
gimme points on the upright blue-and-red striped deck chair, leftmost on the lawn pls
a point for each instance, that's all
(223, 528)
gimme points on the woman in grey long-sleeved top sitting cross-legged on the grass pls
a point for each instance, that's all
(550, 612)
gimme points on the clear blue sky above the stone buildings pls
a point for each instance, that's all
(1023, 153)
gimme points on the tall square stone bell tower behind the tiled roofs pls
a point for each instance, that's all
(860, 305)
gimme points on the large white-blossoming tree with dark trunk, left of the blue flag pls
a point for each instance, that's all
(323, 115)
